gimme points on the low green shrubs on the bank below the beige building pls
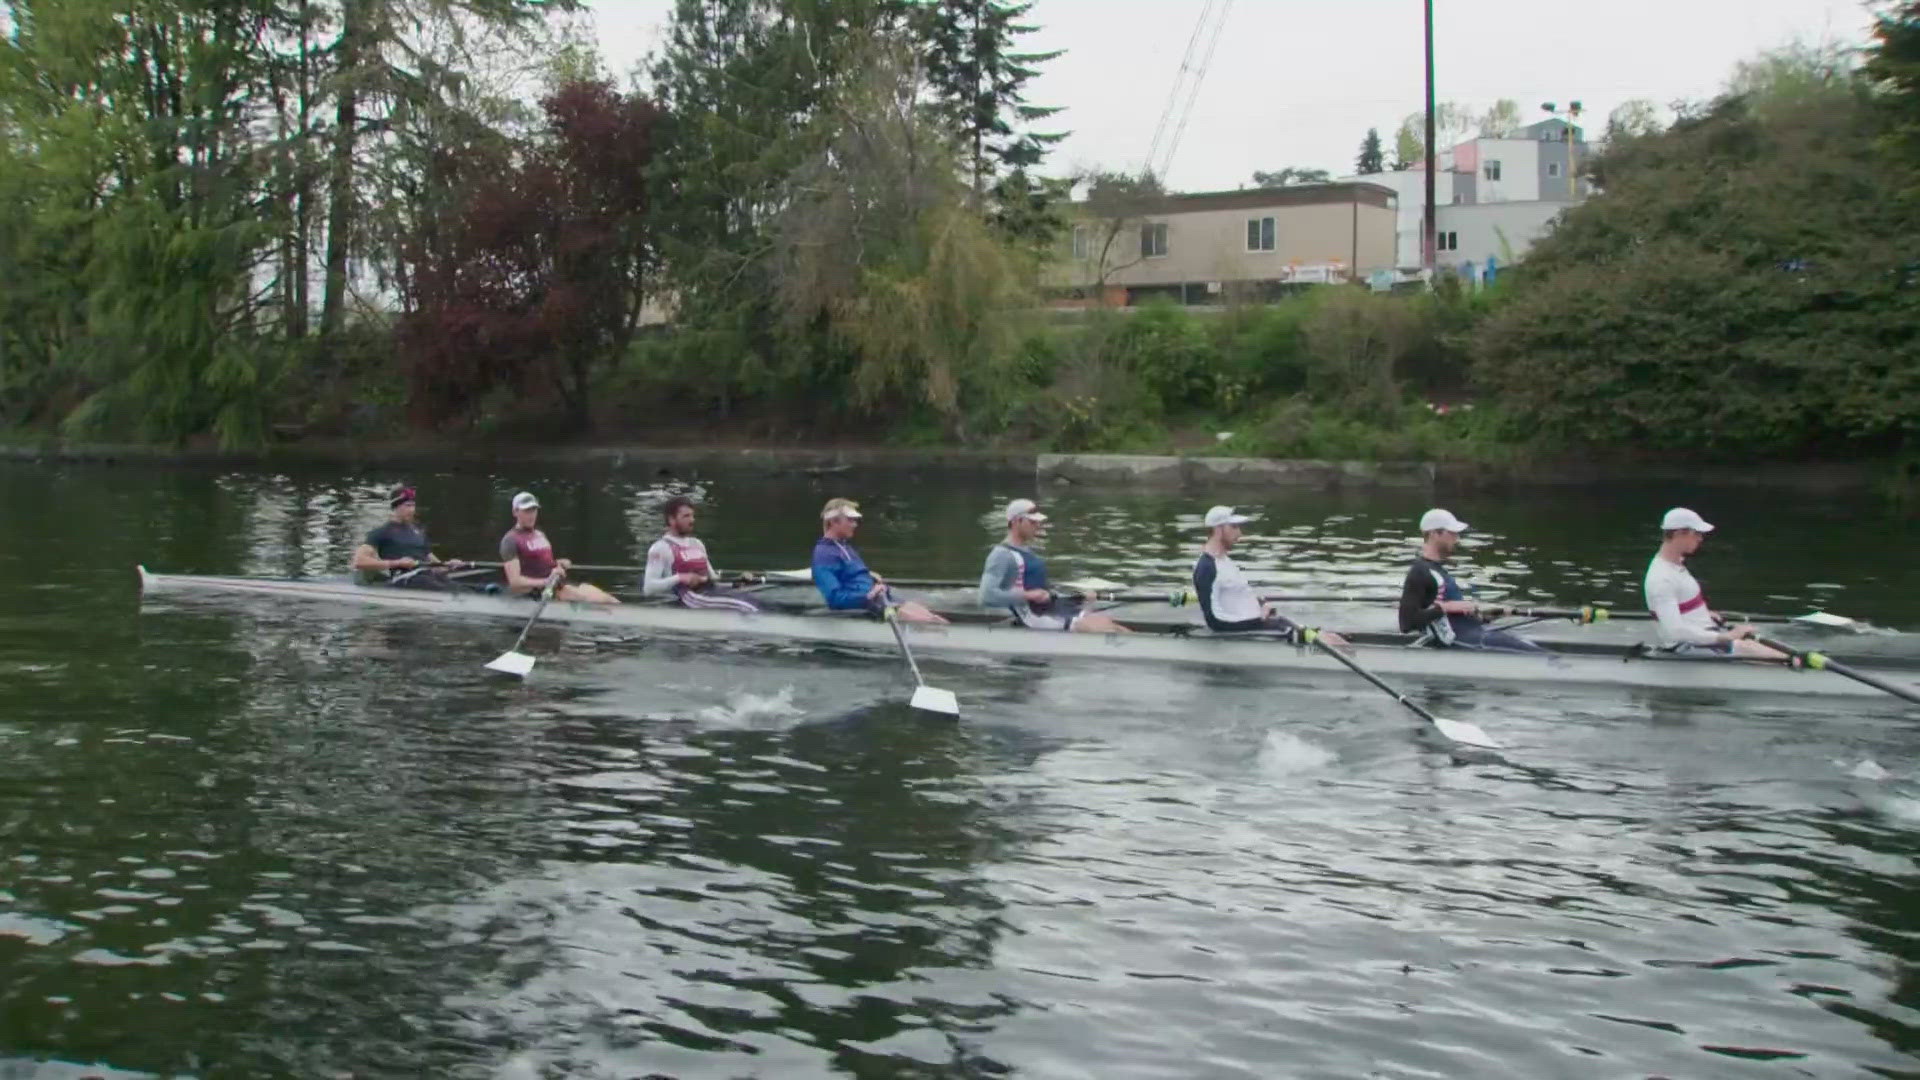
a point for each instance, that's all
(1326, 374)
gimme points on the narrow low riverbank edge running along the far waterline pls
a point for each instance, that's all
(1172, 474)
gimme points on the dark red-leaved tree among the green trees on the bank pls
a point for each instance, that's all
(539, 280)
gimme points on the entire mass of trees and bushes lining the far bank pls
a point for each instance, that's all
(347, 228)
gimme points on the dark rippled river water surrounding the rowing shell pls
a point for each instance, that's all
(245, 839)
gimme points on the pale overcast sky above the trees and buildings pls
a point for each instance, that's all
(1299, 82)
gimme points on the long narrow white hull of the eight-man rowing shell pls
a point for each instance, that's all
(1199, 649)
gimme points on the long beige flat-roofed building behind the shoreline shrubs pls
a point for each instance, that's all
(1209, 247)
